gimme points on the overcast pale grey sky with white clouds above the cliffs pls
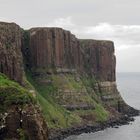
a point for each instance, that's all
(117, 20)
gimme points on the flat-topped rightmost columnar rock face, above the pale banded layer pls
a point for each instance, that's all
(99, 59)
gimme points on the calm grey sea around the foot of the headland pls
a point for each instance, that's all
(129, 87)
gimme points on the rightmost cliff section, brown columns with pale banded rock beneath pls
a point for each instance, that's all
(99, 60)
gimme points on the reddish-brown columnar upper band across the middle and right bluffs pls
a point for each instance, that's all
(55, 47)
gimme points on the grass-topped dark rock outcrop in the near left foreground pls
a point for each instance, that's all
(20, 116)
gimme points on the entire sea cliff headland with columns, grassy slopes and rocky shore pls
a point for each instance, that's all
(53, 85)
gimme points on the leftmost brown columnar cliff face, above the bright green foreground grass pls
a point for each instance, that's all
(10, 51)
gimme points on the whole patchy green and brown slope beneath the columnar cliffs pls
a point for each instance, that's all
(52, 96)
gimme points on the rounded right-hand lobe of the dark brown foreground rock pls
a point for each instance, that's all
(33, 123)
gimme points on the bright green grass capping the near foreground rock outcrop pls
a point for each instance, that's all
(11, 93)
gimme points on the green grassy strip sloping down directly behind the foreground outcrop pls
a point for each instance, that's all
(56, 116)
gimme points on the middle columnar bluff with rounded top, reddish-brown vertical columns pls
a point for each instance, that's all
(53, 47)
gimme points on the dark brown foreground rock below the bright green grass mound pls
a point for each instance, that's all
(27, 121)
